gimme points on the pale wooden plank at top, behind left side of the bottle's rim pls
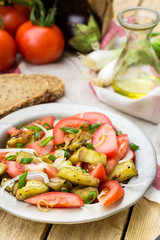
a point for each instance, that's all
(119, 5)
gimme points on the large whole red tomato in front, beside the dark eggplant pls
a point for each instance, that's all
(38, 44)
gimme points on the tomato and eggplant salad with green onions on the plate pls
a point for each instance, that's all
(67, 163)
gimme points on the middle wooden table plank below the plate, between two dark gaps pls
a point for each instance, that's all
(109, 228)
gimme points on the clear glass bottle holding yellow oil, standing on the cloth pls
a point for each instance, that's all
(137, 71)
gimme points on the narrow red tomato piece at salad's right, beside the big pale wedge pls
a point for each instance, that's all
(122, 142)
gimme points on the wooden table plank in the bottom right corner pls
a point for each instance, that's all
(144, 222)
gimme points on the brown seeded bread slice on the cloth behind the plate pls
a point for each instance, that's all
(18, 91)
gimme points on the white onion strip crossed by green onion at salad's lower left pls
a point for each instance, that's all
(31, 175)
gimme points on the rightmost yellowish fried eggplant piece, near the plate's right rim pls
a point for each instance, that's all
(123, 171)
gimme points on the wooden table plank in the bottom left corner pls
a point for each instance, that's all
(13, 228)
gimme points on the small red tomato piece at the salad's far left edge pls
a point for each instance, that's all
(14, 168)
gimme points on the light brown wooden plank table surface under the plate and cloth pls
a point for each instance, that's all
(140, 222)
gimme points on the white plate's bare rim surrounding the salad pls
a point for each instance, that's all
(145, 164)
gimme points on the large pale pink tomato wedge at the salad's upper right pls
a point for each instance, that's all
(105, 141)
